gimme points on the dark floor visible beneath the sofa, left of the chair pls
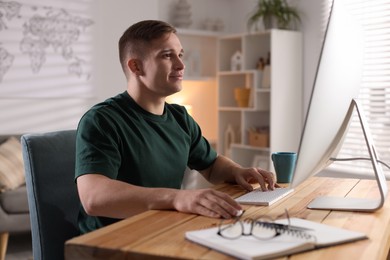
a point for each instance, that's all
(19, 247)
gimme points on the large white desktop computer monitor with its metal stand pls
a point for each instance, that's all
(333, 99)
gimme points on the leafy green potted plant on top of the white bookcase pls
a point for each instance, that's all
(274, 13)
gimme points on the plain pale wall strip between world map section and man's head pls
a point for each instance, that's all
(112, 20)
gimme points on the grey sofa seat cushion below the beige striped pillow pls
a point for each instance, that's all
(14, 201)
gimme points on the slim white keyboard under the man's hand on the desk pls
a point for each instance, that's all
(264, 198)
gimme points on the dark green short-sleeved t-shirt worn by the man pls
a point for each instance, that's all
(119, 139)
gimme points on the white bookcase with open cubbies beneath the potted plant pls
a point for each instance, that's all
(277, 107)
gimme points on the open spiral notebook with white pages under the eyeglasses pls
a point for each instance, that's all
(288, 243)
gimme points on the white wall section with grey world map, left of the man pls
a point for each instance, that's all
(42, 98)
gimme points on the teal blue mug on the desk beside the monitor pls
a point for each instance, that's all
(284, 164)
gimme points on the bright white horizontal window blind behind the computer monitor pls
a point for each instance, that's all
(374, 15)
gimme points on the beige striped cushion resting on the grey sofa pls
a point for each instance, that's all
(11, 164)
